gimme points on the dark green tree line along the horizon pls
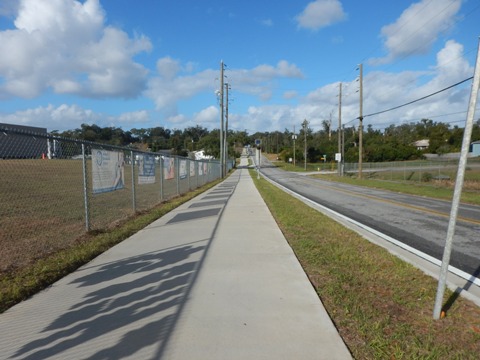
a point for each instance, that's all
(395, 143)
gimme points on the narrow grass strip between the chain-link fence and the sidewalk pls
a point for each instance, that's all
(18, 285)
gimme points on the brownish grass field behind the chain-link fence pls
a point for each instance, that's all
(42, 207)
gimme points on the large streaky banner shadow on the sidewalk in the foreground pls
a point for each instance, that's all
(146, 290)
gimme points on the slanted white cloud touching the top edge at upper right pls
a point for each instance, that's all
(417, 28)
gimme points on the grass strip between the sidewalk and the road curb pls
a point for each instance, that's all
(381, 306)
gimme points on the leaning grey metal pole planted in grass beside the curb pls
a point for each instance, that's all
(458, 190)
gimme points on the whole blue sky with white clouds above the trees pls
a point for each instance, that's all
(147, 63)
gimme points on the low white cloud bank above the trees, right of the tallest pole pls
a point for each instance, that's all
(381, 91)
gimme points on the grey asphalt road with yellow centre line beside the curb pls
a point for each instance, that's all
(419, 222)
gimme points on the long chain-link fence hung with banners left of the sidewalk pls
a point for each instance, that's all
(53, 190)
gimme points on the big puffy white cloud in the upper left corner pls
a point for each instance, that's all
(38, 55)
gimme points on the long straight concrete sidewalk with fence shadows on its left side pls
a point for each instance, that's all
(213, 279)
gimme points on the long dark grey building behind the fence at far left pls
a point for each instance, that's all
(20, 142)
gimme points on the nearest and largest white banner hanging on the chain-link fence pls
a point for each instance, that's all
(108, 173)
